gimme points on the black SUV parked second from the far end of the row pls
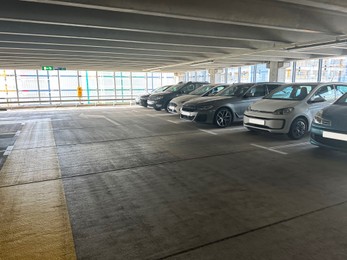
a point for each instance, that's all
(161, 100)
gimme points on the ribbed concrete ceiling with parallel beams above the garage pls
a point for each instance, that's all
(166, 35)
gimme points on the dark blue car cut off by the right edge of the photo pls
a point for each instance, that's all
(329, 127)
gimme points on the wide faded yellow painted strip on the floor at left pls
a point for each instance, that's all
(34, 218)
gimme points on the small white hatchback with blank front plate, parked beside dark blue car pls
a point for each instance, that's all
(291, 108)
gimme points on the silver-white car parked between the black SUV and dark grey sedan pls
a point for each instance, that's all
(175, 104)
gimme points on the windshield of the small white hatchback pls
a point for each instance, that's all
(291, 92)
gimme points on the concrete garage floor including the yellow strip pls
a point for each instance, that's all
(134, 183)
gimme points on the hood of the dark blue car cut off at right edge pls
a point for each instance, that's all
(337, 114)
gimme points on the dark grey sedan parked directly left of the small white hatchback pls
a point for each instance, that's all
(228, 105)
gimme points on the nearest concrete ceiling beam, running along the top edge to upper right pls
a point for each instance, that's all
(261, 14)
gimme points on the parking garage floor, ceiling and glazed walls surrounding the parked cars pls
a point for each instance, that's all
(98, 177)
